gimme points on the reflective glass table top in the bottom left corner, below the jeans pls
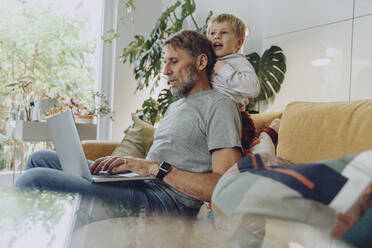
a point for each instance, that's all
(36, 218)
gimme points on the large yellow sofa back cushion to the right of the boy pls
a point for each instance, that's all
(312, 131)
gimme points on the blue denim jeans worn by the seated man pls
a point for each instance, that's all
(44, 172)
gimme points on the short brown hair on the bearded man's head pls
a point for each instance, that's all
(195, 44)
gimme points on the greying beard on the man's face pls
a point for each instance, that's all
(186, 84)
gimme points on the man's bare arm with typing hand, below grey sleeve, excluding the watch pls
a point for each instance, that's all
(197, 185)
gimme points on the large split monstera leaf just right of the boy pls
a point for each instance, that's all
(270, 69)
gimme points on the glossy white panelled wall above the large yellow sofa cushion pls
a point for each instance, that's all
(327, 48)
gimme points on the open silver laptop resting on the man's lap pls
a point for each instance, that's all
(70, 152)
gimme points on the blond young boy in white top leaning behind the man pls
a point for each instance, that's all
(235, 77)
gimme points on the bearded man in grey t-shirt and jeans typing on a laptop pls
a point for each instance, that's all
(195, 143)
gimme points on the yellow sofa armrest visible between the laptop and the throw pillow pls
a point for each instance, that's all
(94, 149)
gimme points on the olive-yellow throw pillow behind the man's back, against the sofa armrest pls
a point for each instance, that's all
(137, 141)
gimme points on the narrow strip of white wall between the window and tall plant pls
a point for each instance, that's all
(125, 101)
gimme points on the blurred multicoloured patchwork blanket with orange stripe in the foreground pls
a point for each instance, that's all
(330, 195)
